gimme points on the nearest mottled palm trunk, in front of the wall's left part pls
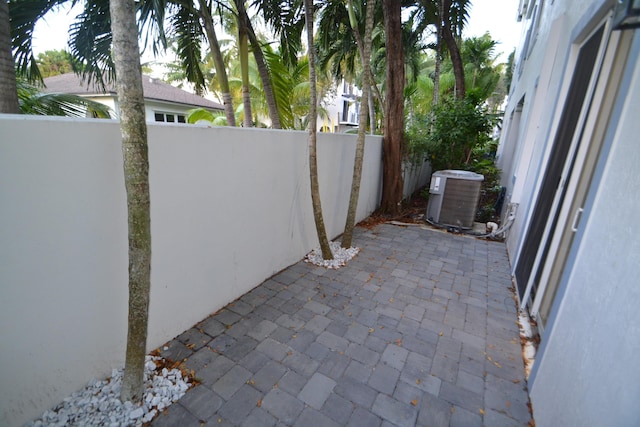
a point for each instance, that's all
(136, 173)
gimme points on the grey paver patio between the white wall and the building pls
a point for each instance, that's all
(419, 329)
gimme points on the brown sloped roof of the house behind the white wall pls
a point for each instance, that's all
(154, 89)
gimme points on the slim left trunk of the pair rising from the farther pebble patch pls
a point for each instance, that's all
(313, 124)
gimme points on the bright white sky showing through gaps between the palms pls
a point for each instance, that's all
(498, 17)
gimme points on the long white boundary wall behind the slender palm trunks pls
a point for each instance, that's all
(229, 208)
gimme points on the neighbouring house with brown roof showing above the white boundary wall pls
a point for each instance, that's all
(163, 102)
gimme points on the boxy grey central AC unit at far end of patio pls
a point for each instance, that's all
(453, 198)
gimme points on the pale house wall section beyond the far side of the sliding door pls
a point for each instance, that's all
(542, 81)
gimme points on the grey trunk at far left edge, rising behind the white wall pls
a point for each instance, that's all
(8, 86)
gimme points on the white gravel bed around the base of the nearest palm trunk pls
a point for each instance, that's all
(99, 404)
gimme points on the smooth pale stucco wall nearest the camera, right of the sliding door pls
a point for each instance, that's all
(587, 372)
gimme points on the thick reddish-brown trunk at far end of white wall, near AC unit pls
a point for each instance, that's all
(394, 118)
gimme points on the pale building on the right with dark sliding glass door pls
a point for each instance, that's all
(570, 160)
